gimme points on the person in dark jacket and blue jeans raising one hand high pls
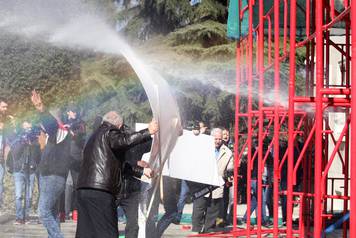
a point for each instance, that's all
(53, 168)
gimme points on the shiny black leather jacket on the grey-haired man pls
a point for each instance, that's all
(101, 168)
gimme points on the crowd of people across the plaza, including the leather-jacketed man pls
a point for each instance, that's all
(96, 174)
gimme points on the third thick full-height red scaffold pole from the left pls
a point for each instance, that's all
(292, 72)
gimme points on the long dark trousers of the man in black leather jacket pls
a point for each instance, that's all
(97, 216)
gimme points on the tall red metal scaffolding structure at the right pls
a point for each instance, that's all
(274, 39)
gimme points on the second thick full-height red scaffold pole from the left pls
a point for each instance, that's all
(276, 120)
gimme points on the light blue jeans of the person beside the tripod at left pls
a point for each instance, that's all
(20, 180)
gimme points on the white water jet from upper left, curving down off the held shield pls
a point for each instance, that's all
(73, 24)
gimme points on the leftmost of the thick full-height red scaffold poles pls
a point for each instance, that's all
(249, 113)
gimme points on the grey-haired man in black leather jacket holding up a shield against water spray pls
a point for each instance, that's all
(101, 173)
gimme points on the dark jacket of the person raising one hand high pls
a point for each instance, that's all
(56, 157)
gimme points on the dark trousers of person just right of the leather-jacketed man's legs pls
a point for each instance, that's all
(130, 207)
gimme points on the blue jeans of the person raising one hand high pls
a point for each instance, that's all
(51, 187)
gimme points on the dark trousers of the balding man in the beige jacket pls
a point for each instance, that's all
(205, 212)
